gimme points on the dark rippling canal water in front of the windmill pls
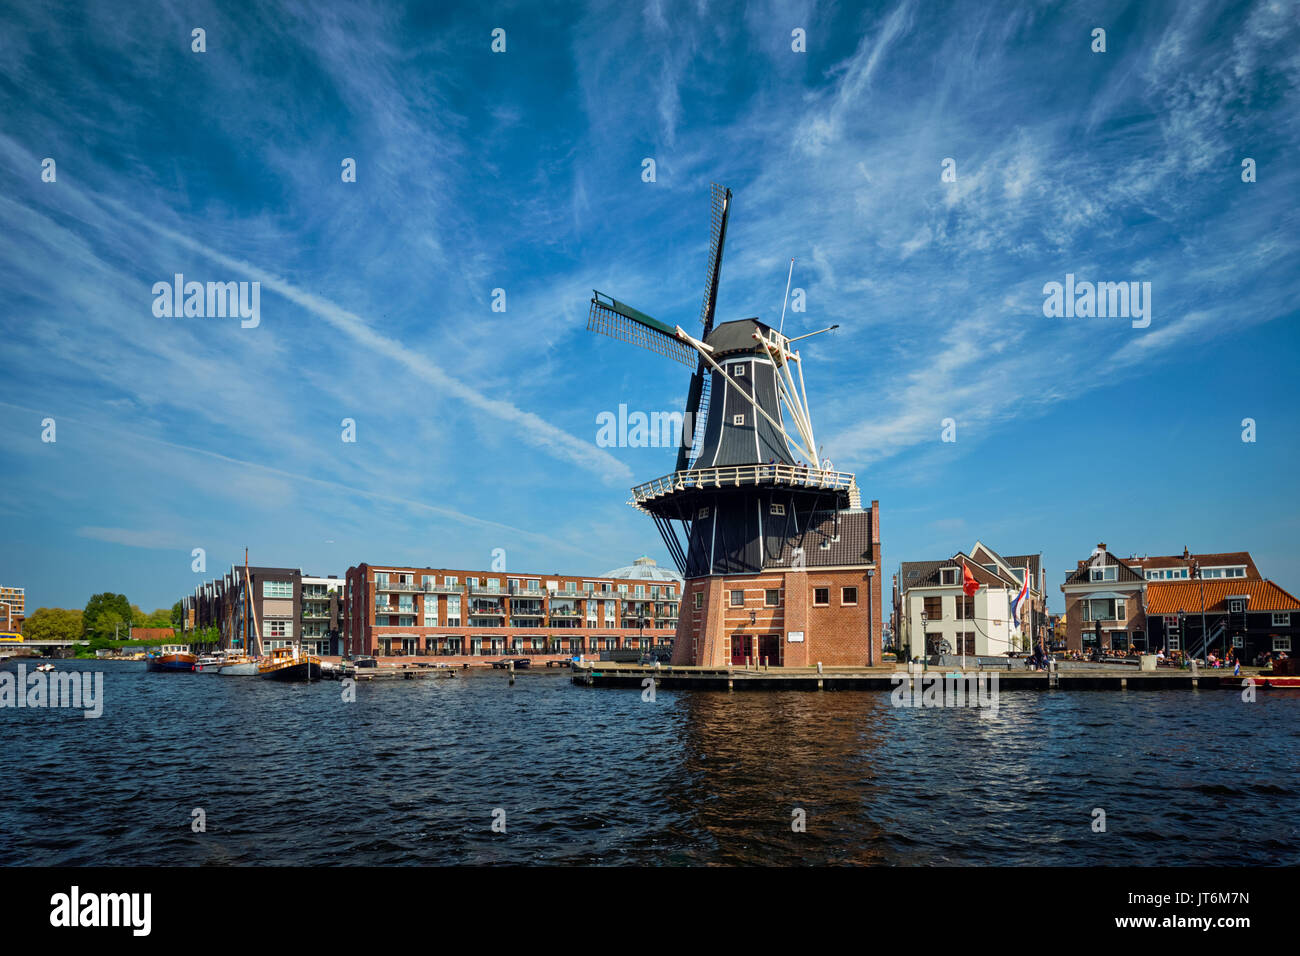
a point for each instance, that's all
(419, 772)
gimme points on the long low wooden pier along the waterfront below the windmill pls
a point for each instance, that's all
(1120, 678)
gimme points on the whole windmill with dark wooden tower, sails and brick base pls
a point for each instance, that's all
(775, 547)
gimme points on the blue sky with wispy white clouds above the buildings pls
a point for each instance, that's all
(523, 171)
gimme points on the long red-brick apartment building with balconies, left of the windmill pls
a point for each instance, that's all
(457, 613)
